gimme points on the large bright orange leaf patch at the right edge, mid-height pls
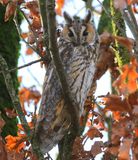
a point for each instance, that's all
(127, 81)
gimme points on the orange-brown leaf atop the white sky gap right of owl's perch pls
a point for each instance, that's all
(94, 132)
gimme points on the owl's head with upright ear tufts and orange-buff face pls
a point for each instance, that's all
(77, 31)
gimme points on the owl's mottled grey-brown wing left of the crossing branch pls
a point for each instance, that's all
(52, 123)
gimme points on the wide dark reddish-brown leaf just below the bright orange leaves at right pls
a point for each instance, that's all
(116, 103)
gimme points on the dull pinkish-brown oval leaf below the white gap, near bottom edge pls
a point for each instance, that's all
(97, 148)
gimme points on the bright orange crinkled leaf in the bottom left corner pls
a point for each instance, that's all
(15, 143)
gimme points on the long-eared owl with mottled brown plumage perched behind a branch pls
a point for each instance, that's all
(78, 46)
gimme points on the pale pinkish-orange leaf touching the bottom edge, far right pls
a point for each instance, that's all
(124, 150)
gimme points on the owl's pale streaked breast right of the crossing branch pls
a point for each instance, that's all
(80, 68)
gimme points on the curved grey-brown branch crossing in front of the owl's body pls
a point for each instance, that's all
(50, 7)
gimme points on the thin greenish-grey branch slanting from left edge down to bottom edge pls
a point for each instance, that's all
(15, 100)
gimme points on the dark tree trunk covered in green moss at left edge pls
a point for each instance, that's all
(9, 49)
